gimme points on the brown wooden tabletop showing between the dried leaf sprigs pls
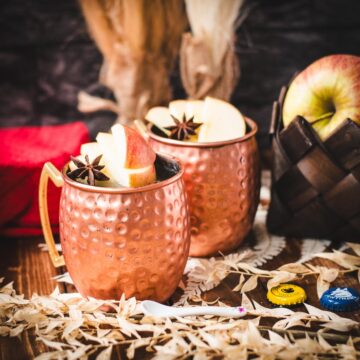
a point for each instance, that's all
(22, 261)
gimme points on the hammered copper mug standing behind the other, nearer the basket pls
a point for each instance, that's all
(223, 183)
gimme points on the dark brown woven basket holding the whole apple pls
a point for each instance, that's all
(315, 185)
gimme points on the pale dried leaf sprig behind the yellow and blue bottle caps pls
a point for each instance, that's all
(209, 273)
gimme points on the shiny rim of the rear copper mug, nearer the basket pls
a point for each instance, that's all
(251, 123)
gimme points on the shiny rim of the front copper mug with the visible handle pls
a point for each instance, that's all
(124, 190)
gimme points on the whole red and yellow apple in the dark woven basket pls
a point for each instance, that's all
(326, 93)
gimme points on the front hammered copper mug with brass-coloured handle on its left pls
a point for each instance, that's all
(120, 240)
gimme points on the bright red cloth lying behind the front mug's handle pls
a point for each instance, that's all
(23, 152)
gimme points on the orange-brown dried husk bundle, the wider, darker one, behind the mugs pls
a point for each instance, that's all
(139, 41)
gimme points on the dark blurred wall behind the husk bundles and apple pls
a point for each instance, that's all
(46, 56)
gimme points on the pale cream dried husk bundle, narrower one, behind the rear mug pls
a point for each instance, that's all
(208, 62)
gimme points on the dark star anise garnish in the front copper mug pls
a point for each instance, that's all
(91, 171)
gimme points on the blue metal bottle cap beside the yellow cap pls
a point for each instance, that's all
(340, 299)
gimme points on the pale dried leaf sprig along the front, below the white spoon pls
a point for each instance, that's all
(72, 327)
